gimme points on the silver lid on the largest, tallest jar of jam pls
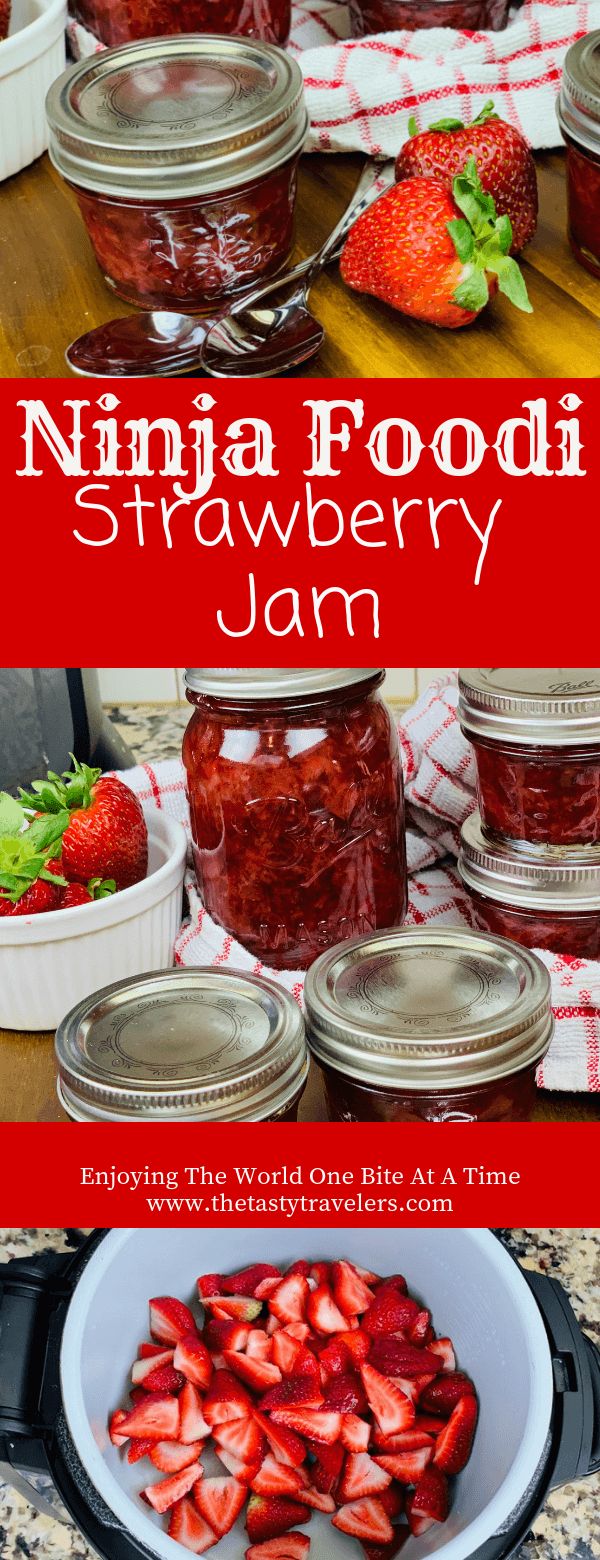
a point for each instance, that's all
(275, 682)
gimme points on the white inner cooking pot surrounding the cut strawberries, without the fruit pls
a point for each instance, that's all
(476, 1294)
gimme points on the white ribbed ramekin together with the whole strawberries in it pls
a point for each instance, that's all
(91, 890)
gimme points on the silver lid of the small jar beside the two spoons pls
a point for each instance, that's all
(172, 118)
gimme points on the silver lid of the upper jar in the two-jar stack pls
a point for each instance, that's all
(545, 706)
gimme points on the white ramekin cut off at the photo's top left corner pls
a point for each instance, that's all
(32, 57)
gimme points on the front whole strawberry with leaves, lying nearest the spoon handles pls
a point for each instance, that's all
(434, 255)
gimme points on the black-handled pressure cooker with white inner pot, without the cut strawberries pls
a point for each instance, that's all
(69, 1328)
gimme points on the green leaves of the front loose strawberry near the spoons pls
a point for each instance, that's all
(482, 243)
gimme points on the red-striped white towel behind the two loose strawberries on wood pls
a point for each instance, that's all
(361, 93)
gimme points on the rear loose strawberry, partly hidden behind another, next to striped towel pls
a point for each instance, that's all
(504, 165)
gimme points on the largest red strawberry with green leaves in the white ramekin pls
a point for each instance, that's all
(105, 832)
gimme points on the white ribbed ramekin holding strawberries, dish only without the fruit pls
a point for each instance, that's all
(51, 962)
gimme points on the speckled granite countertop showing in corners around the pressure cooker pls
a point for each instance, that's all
(568, 1528)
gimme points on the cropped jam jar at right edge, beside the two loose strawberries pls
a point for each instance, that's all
(579, 116)
